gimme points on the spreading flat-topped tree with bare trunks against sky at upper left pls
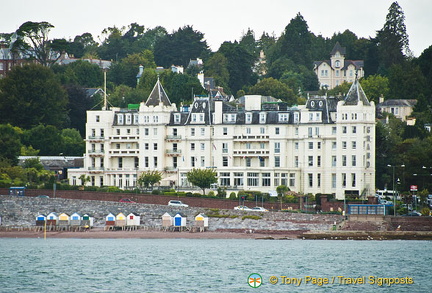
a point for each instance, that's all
(33, 41)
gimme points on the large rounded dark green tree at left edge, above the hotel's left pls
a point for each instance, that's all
(32, 95)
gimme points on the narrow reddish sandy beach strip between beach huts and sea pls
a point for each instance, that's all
(99, 233)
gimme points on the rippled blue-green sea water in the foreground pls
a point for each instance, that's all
(213, 265)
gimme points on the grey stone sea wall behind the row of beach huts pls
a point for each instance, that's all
(22, 211)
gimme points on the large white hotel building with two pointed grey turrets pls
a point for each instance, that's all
(326, 146)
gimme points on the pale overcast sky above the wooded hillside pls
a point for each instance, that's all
(220, 20)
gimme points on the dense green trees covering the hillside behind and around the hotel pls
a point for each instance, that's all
(39, 102)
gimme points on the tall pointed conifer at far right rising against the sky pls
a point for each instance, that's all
(392, 39)
